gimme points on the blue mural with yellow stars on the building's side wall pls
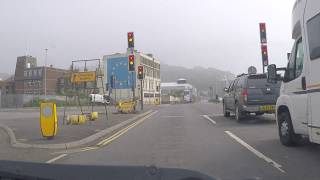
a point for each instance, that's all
(118, 68)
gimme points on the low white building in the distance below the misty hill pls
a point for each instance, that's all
(179, 91)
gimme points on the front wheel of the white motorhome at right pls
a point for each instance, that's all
(286, 132)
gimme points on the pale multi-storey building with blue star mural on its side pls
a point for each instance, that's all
(120, 88)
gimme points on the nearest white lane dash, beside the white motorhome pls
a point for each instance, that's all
(256, 152)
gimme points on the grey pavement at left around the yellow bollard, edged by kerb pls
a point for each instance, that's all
(26, 127)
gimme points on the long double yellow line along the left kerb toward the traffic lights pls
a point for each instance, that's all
(123, 131)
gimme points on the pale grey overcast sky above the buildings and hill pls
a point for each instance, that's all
(223, 34)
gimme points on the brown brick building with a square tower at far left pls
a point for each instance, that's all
(32, 79)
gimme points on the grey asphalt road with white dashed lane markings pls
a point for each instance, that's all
(198, 137)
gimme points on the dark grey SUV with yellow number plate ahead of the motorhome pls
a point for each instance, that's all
(250, 94)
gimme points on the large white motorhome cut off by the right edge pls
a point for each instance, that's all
(298, 107)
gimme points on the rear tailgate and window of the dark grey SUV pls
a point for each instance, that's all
(260, 92)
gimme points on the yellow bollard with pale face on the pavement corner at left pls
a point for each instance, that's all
(48, 119)
